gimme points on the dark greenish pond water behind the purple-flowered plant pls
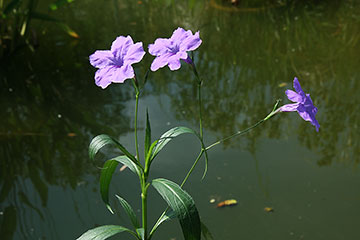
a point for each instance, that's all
(51, 109)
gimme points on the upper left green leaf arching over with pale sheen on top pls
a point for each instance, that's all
(101, 140)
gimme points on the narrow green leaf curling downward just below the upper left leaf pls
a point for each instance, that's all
(107, 173)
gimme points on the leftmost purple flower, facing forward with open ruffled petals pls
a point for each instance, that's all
(115, 65)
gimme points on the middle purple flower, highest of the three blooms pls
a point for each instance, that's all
(169, 51)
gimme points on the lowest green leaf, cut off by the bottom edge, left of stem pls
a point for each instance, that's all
(104, 232)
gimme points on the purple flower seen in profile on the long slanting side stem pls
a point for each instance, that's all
(303, 104)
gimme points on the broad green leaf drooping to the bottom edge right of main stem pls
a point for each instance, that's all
(183, 205)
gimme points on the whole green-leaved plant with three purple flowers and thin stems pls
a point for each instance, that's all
(115, 66)
